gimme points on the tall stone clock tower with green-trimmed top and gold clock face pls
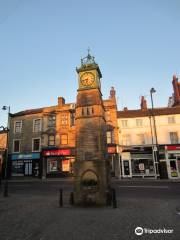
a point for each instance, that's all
(91, 170)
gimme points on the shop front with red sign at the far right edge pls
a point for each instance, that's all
(172, 153)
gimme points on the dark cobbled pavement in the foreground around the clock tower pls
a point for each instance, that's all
(37, 216)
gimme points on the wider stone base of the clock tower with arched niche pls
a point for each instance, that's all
(92, 182)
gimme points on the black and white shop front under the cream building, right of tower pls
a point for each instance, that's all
(138, 162)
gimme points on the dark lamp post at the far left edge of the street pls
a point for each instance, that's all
(6, 163)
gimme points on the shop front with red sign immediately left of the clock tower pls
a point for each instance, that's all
(58, 162)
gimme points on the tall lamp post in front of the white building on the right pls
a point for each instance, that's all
(156, 149)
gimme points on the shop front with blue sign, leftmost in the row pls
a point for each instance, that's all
(26, 164)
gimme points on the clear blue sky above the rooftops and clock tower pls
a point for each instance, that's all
(135, 42)
